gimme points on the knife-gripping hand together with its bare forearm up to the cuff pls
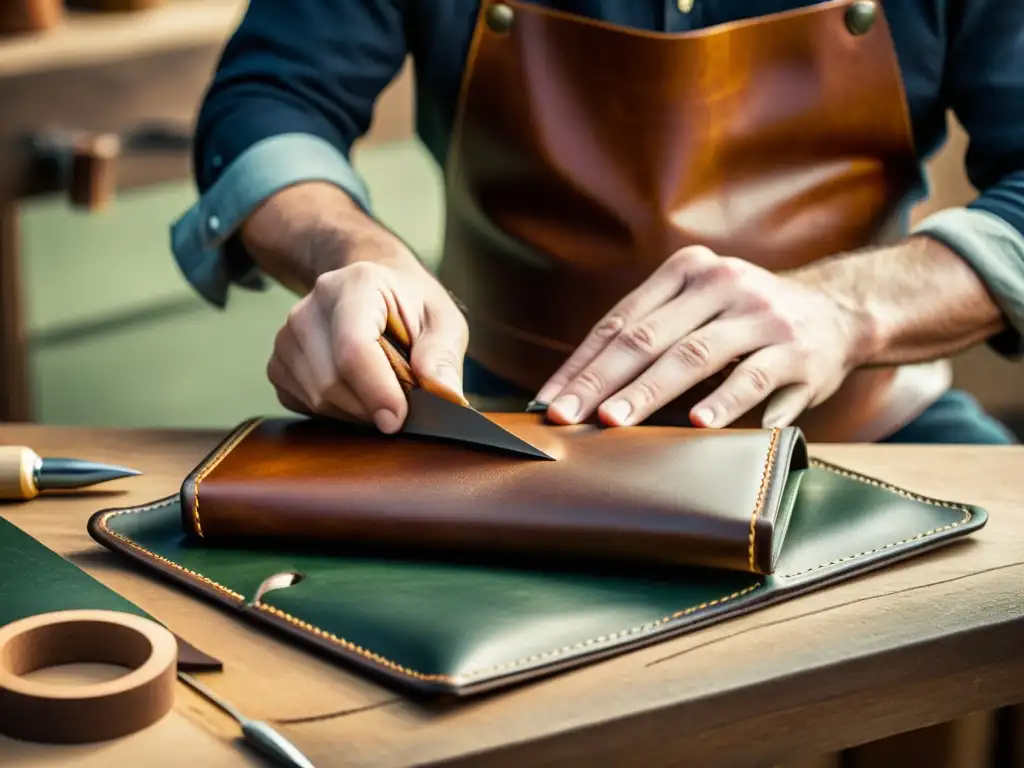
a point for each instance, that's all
(327, 359)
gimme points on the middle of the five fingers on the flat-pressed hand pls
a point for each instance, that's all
(704, 353)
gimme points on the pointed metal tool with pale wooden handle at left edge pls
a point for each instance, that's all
(24, 475)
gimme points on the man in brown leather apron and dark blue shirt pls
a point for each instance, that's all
(696, 207)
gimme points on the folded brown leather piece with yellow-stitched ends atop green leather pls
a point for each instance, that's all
(646, 495)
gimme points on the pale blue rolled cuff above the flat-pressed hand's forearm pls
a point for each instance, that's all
(993, 247)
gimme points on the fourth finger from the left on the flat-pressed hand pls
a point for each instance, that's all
(753, 380)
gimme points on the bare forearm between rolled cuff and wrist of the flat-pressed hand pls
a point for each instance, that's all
(913, 303)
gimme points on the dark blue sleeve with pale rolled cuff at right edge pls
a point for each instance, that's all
(985, 83)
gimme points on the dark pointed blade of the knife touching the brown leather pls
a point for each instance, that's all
(432, 416)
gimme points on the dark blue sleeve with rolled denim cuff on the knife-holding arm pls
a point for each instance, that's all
(294, 90)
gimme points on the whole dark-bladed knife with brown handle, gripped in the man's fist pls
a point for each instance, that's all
(435, 412)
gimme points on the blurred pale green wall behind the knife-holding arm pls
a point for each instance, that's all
(119, 339)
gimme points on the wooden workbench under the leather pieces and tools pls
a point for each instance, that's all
(918, 645)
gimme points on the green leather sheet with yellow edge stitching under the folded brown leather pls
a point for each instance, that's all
(460, 627)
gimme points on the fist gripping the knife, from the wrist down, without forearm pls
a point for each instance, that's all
(327, 359)
